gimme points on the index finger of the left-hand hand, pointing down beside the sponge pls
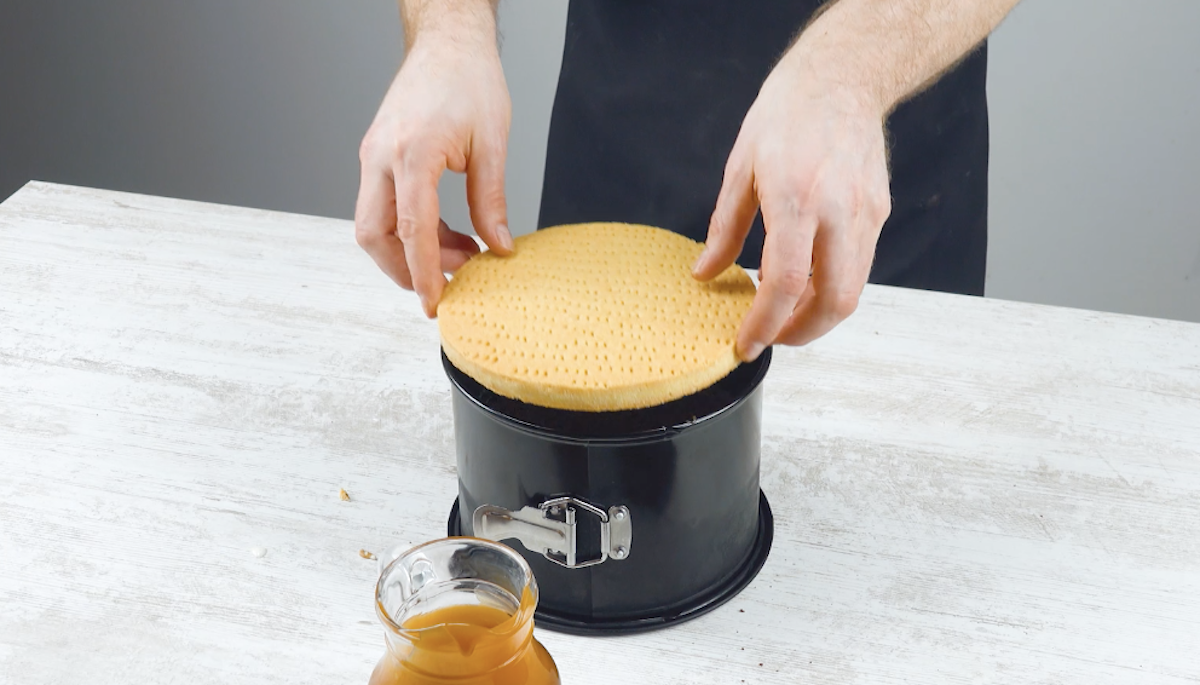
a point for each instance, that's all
(417, 226)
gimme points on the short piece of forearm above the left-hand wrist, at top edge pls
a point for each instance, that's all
(467, 23)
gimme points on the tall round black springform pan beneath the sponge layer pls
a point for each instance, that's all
(632, 521)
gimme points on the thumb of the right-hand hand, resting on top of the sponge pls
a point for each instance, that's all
(733, 218)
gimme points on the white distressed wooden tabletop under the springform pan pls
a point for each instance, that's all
(965, 490)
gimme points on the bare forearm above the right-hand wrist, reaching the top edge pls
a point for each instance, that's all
(881, 52)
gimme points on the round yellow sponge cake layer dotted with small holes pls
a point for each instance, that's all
(595, 317)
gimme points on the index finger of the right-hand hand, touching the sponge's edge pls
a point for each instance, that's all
(787, 256)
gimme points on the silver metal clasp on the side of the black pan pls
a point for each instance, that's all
(551, 530)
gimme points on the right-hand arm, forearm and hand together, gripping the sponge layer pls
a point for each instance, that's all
(812, 154)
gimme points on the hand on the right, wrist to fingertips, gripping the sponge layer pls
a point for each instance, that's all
(812, 154)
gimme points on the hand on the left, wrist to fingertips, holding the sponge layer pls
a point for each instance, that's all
(448, 109)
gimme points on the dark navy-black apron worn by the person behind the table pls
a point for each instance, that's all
(650, 101)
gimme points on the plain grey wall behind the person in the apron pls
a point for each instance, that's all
(1096, 123)
